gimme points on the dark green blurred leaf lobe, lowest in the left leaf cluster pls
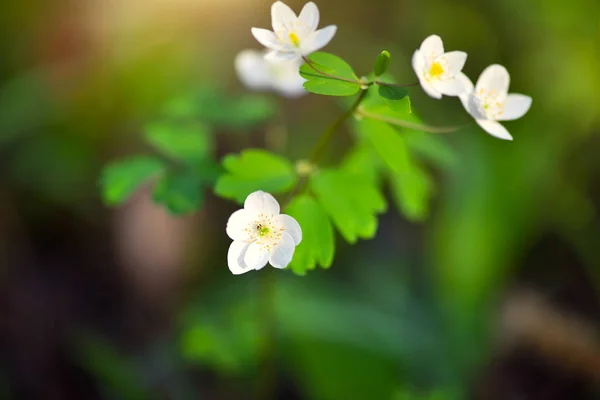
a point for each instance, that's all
(181, 192)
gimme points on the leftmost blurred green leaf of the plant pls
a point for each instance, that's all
(120, 179)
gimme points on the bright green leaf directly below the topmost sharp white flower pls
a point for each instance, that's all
(321, 72)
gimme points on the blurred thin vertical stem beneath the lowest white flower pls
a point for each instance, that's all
(267, 384)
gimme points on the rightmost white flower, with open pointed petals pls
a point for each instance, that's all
(489, 102)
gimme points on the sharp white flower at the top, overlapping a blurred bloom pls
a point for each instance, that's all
(293, 36)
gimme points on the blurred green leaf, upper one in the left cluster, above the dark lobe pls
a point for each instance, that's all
(189, 142)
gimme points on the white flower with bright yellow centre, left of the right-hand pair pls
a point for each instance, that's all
(437, 71)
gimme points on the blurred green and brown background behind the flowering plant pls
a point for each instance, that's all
(494, 296)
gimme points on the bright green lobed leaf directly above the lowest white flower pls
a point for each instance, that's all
(254, 170)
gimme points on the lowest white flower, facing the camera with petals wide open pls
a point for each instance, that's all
(260, 235)
